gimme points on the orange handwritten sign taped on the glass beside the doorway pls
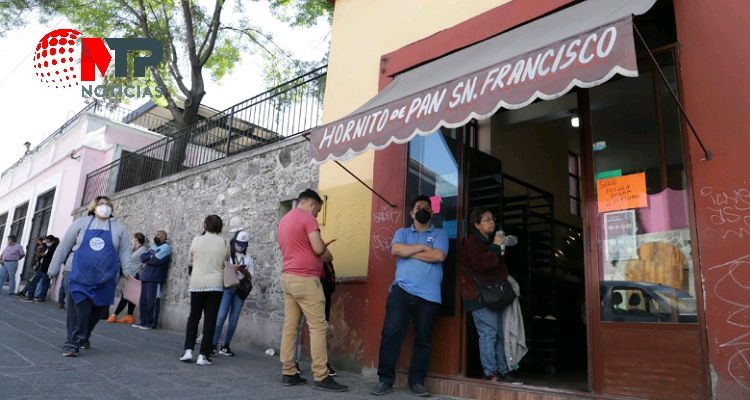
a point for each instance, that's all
(622, 192)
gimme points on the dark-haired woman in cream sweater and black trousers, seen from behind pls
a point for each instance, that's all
(207, 255)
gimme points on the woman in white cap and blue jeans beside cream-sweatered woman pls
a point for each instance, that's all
(234, 298)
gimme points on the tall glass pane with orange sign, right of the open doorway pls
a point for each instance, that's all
(645, 245)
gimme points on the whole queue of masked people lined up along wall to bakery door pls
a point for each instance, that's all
(97, 250)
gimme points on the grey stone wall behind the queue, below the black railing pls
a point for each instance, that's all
(246, 190)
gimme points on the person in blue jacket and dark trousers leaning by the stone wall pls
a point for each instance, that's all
(155, 264)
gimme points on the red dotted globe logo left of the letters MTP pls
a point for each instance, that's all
(54, 59)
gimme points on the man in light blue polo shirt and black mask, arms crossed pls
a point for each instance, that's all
(414, 294)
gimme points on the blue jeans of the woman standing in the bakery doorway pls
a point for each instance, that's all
(489, 325)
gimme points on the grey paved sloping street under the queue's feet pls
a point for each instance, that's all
(126, 363)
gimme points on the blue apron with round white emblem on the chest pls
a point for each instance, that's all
(95, 267)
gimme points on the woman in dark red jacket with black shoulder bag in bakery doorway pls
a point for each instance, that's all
(482, 257)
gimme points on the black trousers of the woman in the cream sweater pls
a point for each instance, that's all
(206, 303)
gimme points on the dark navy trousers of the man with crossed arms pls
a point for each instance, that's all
(400, 308)
